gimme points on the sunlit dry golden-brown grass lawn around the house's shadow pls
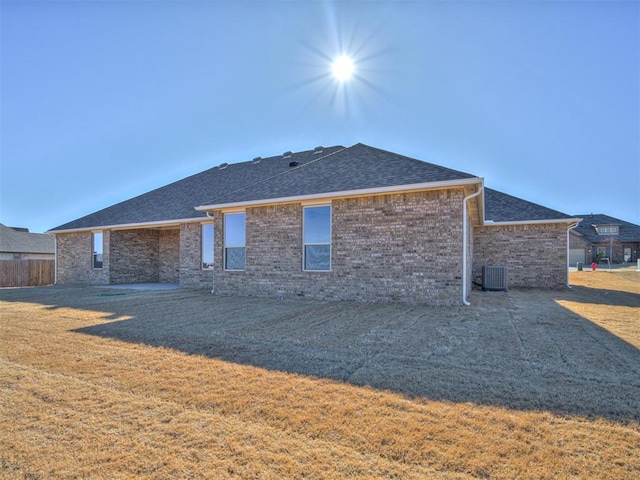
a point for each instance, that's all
(74, 405)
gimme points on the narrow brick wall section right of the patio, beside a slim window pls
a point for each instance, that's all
(191, 273)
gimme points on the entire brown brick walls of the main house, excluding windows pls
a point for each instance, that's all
(396, 247)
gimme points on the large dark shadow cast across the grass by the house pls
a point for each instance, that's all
(520, 349)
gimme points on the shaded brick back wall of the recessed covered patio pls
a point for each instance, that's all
(135, 256)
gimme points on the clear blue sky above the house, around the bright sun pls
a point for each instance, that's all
(105, 100)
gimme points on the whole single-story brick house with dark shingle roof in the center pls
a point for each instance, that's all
(354, 223)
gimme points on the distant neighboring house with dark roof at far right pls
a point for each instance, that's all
(600, 236)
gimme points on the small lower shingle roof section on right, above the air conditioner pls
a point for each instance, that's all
(501, 207)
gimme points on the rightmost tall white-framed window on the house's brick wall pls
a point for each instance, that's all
(317, 238)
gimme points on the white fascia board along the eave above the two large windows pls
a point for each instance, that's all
(346, 193)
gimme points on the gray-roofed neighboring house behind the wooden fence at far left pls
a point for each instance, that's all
(19, 244)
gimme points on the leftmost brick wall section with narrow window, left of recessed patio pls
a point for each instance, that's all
(75, 259)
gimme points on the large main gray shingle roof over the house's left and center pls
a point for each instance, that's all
(334, 169)
